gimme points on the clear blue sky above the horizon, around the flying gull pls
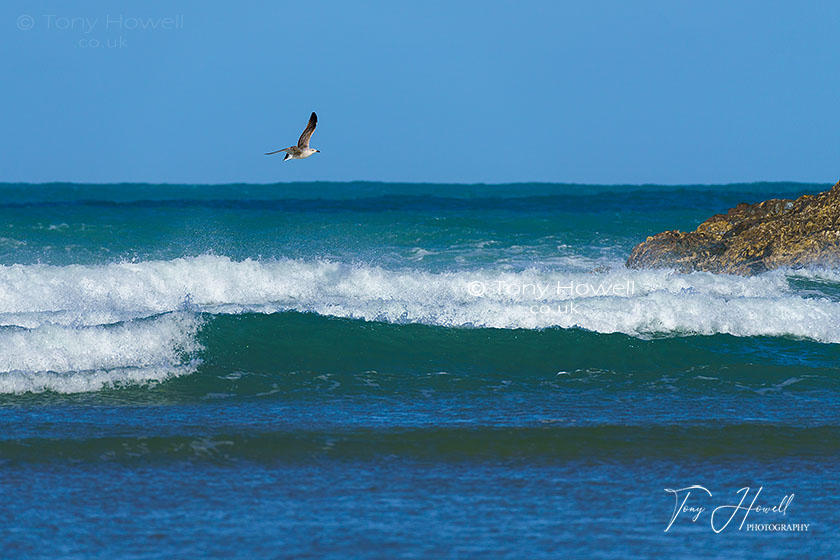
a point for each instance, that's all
(593, 92)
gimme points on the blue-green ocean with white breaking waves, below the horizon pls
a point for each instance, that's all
(383, 370)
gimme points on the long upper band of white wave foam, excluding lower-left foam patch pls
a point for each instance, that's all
(637, 303)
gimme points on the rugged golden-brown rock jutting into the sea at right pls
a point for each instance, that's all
(752, 238)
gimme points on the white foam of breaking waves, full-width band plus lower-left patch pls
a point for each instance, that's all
(61, 319)
